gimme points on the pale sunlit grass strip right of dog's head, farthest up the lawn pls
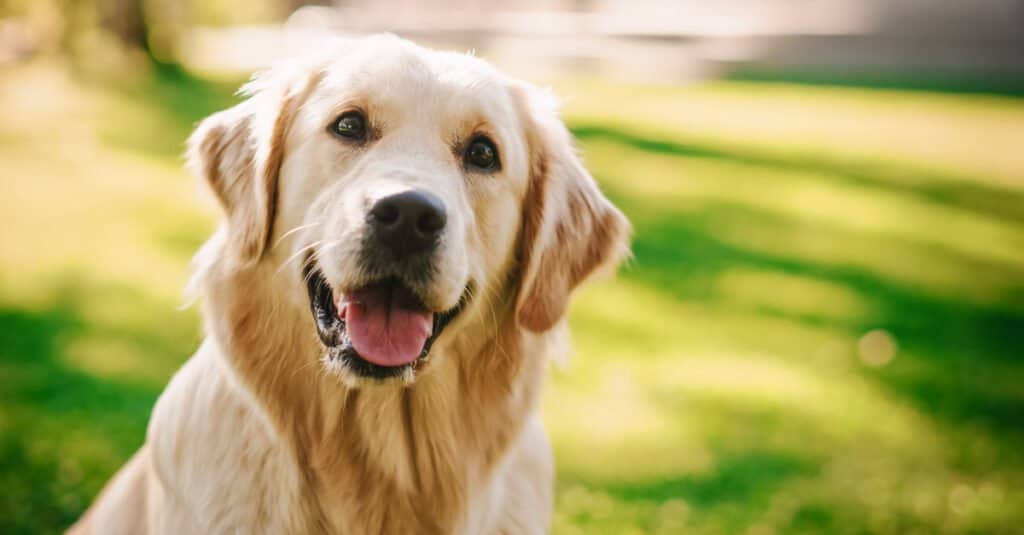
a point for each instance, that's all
(961, 135)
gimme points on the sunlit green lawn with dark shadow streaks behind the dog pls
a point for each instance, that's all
(821, 333)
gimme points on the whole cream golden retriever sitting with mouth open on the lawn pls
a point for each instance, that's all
(403, 230)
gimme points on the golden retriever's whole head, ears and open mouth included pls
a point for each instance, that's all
(395, 188)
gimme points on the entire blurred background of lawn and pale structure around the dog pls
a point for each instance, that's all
(823, 328)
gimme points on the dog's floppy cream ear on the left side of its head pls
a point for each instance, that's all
(239, 153)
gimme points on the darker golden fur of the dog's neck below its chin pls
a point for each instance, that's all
(382, 459)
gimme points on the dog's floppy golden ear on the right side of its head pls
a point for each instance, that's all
(570, 229)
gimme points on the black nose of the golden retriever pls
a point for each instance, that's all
(408, 223)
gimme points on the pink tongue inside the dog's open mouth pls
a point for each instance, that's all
(387, 324)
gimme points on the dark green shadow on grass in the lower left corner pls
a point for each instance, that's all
(64, 432)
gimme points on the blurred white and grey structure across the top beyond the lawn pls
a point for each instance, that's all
(664, 40)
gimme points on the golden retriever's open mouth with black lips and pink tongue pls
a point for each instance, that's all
(379, 331)
